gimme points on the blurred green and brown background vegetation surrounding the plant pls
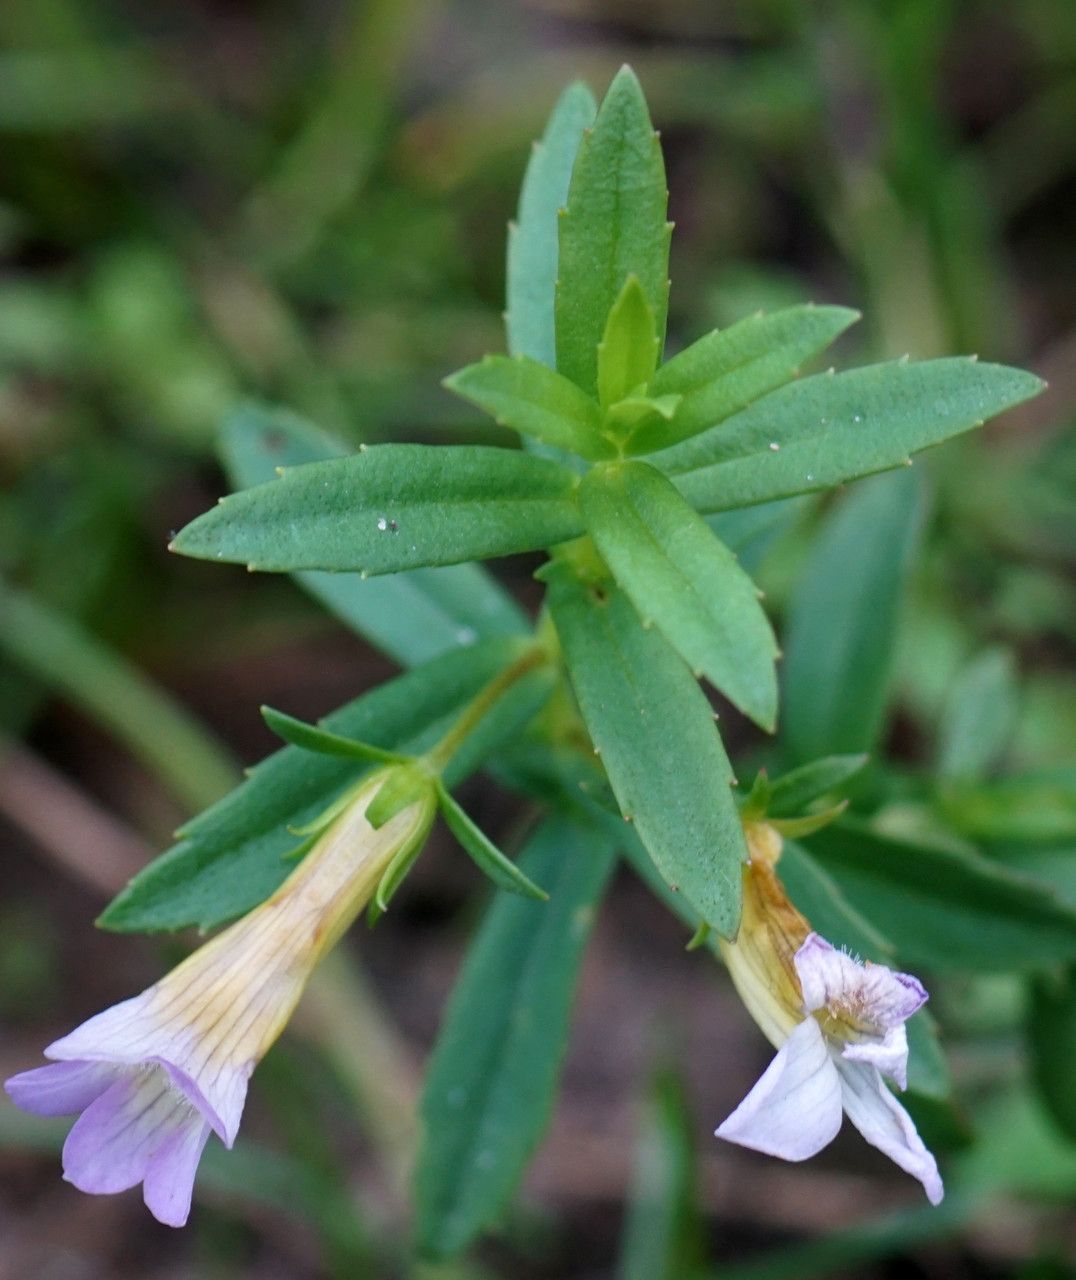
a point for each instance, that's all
(306, 204)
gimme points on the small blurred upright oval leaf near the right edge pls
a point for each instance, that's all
(979, 716)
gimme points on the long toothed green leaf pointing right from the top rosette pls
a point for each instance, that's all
(834, 428)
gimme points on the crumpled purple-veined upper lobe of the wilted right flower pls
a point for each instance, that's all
(868, 994)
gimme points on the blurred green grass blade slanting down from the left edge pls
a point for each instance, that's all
(76, 665)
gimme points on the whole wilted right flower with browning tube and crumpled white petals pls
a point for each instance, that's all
(839, 1026)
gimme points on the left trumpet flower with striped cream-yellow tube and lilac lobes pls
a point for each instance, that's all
(154, 1076)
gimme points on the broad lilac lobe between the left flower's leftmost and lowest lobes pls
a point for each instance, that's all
(112, 1144)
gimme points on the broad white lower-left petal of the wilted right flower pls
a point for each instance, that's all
(795, 1109)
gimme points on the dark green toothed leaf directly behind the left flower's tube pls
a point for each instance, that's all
(232, 857)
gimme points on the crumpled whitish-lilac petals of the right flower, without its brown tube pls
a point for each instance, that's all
(849, 1035)
